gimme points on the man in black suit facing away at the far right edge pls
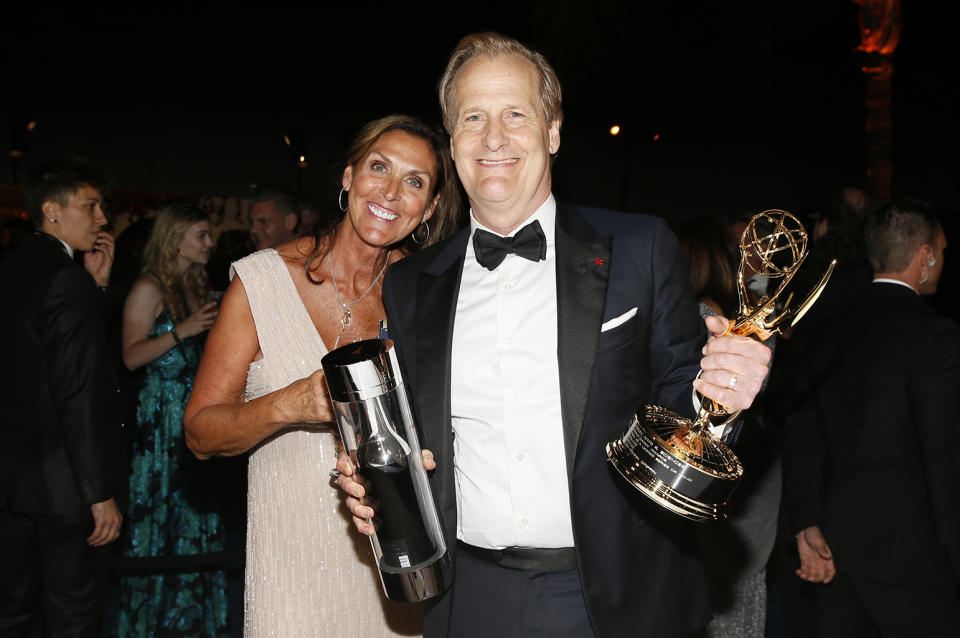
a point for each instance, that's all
(870, 454)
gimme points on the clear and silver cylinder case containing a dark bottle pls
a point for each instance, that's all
(379, 433)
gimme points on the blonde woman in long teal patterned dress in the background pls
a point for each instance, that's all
(174, 586)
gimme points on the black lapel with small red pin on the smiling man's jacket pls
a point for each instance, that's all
(583, 266)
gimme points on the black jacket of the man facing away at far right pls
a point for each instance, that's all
(870, 452)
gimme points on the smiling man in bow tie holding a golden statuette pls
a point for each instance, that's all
(523, 363)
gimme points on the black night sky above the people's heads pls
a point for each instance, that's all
(756, 104)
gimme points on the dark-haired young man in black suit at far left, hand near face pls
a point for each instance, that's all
(61, 463)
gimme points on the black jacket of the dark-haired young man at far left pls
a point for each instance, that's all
(59, 405)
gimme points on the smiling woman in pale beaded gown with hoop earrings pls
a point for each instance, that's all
(260, 385)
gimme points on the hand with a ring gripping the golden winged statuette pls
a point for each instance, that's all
(734, 367)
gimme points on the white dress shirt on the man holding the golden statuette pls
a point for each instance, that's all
(509, 460)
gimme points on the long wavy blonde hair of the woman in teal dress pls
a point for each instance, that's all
(160, 259)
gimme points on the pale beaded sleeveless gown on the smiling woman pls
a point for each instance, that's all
(309, 573)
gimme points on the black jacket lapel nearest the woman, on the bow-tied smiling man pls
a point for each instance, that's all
(437, 290)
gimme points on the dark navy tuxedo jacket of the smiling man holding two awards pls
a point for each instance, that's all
(637, 564)
